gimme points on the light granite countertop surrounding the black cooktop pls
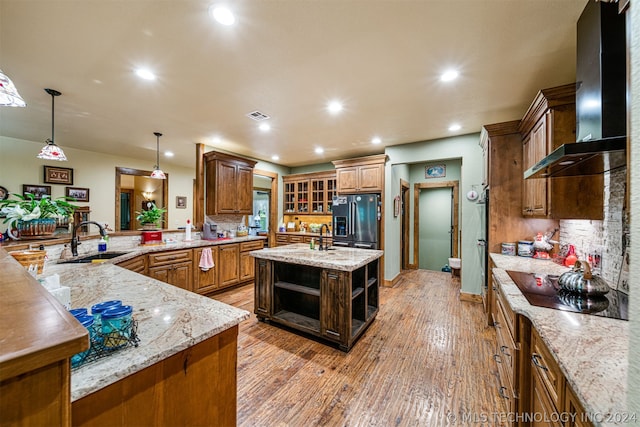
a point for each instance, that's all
(592, 351)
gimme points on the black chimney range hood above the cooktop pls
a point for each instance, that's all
(600, 99)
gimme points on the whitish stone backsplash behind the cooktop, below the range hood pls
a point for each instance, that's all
(607, 237)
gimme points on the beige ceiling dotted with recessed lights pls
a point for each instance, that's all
(285, 58)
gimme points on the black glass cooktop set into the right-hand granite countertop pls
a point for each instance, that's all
(539, 289)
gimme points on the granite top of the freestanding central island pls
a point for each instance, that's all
(345, 259)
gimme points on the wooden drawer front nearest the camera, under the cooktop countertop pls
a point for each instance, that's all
(544, 365)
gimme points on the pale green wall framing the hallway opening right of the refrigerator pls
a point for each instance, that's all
(465, 147)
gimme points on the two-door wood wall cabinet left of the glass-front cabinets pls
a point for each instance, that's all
(229, 182)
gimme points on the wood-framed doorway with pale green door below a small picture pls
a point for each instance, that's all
(435, 237)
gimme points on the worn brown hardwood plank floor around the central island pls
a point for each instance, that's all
(425, 360)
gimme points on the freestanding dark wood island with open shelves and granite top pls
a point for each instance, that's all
(330, 294)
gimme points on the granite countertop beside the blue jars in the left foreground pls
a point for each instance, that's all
(170, 319)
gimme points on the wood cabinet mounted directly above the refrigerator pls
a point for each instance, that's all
(360, 175)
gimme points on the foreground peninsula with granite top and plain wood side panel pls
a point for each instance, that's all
(183, 372)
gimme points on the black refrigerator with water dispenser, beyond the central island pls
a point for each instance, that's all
(356, 220)
